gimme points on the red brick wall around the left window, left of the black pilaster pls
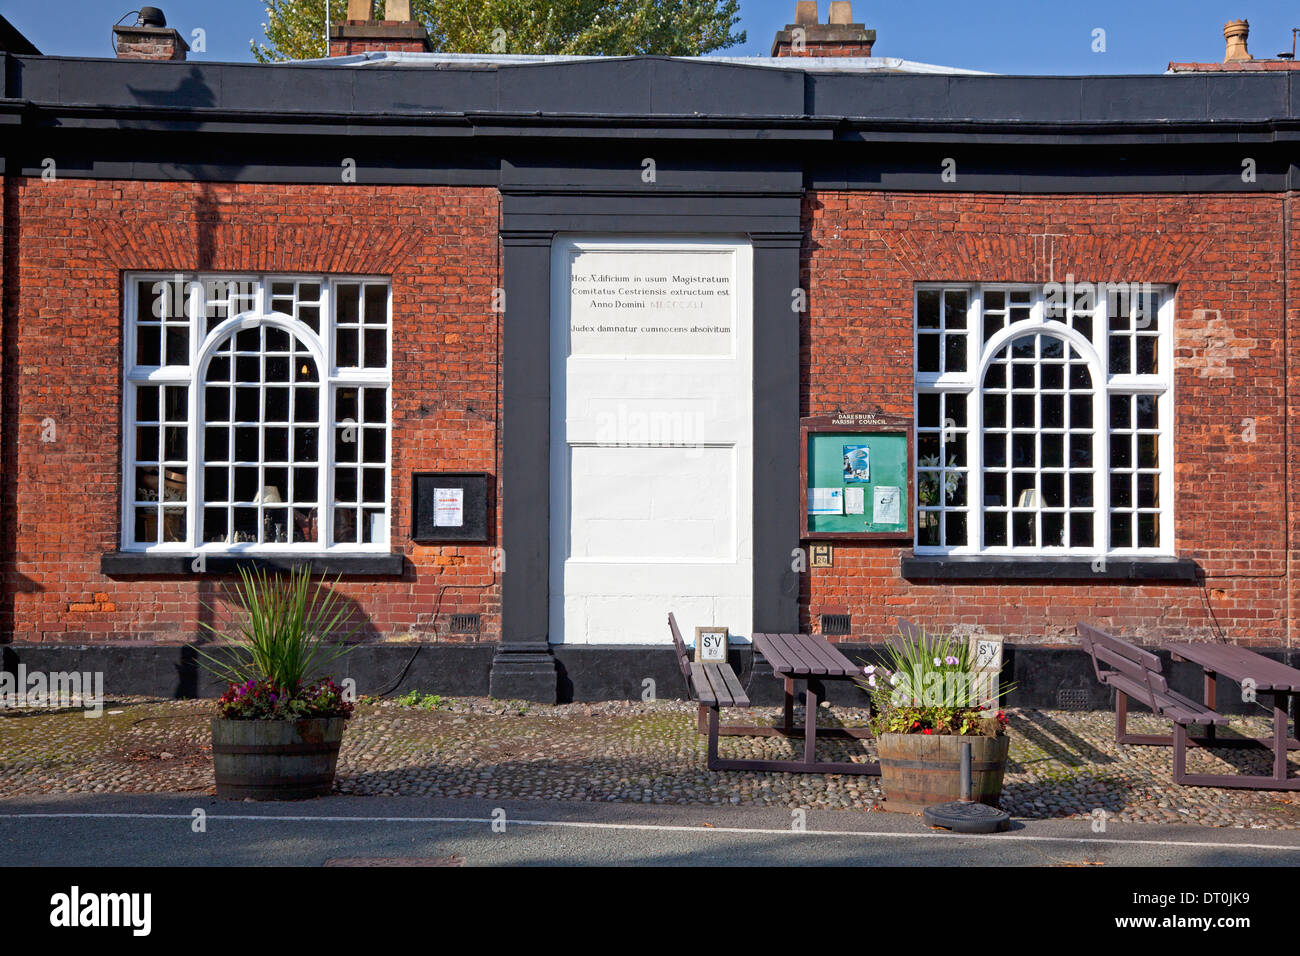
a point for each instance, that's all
(64, 263)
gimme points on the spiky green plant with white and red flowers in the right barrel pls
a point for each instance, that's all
(928, 686)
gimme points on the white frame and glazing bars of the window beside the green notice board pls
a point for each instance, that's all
(1104, 386)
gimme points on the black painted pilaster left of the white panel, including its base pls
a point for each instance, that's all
(525, 667)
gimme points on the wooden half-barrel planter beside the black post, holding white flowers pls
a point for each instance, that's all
(918, 771)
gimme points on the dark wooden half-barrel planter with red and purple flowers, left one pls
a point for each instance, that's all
(276, 760)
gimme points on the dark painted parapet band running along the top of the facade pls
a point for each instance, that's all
(657, 88)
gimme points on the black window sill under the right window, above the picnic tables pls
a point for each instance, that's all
(1003, 568)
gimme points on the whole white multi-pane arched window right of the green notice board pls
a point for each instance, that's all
(1043, 419)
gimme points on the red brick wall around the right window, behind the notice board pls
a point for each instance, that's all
(864, 252)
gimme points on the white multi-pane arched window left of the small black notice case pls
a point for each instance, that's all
(258, 413)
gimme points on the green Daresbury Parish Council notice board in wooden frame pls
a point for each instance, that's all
(857, 477)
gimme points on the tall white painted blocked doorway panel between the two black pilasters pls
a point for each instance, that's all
(652, 439)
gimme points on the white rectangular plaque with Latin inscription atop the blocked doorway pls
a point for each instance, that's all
(660, 302)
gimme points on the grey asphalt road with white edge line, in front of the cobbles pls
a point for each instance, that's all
(159, 830)
